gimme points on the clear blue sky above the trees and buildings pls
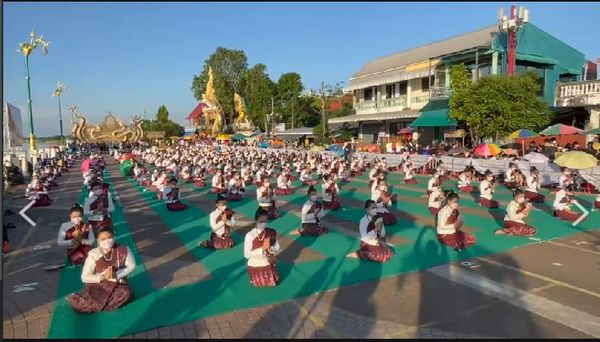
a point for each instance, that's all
(124, 57)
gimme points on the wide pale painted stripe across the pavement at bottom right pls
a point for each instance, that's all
(546, 308)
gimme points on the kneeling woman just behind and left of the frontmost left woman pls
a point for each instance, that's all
(76, 236)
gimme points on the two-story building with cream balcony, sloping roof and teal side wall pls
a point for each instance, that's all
(411, 88)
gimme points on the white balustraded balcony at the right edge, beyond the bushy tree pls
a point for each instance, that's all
(574, 94)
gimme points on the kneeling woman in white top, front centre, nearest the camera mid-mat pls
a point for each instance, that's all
(260, 248)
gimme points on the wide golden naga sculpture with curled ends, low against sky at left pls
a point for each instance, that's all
(109, 130)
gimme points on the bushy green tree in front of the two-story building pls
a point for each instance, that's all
(497, 105)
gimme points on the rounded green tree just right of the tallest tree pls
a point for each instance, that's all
(258, 89)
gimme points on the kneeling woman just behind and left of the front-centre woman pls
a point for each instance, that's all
(221, 223)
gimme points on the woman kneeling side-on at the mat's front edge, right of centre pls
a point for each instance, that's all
(449, 223)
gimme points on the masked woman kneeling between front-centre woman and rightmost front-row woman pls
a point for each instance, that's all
(373, 245)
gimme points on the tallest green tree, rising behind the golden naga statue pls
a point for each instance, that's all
(229, 67)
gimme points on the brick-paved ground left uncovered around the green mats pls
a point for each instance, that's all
(546, 290)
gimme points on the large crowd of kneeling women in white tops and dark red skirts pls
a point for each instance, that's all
(88, 235)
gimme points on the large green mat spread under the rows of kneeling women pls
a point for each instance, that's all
(229, 288)
